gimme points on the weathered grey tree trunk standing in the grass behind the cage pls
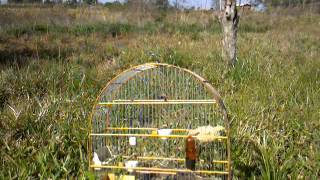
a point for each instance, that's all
(229, 20)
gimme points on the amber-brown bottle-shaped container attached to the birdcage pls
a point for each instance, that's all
(191, 153)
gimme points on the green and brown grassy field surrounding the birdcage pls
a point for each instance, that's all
(55, 60)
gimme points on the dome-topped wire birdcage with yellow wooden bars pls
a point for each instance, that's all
(143, 117)
